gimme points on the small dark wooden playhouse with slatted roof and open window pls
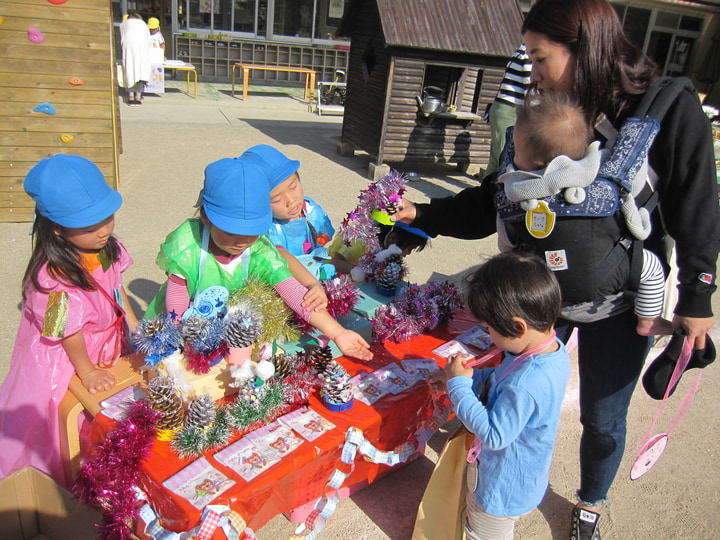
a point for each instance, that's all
(401, 48)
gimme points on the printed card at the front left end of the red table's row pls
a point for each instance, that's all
(199, 483)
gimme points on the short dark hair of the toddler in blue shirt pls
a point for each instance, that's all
(512, 285)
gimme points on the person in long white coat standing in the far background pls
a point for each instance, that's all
(136, 44)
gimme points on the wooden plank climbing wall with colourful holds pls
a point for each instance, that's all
(56, 91)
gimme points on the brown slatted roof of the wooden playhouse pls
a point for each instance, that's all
(468, 26)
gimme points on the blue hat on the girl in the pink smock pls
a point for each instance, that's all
(71, 191)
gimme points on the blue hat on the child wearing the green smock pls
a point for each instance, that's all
(233, 200)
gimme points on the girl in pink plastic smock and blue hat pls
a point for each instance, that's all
(72, 320)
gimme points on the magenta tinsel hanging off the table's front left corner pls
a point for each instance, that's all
(107, 480)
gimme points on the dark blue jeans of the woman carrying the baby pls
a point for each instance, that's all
(611, 355)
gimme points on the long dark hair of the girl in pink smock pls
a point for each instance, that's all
(62, 258)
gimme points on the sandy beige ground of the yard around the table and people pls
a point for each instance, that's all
(169, 140)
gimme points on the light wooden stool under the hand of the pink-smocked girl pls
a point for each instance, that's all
(126, 372)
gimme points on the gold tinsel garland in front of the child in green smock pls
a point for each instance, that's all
(273, 310)
